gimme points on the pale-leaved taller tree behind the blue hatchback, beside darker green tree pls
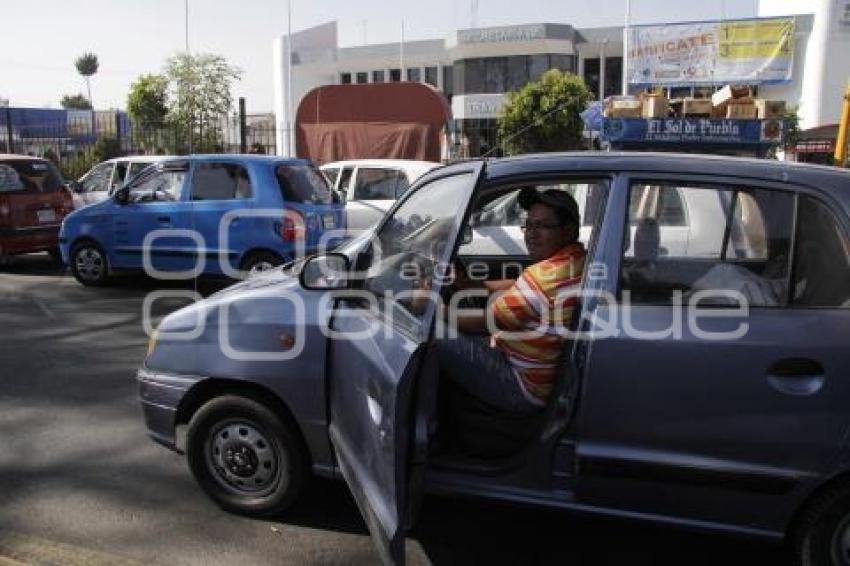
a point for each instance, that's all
(200, 95)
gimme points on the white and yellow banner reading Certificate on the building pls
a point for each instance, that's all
(742, 51)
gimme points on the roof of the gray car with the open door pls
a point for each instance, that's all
(833, 181)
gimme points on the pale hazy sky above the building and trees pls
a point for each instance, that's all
(40, 39)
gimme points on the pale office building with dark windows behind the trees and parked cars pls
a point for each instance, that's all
(476, 68)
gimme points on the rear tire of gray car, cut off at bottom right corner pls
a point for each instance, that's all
(822, 535)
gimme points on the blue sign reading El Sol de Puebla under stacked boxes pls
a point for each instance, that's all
(688, 131)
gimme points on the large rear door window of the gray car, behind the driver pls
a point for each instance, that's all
(736, 240)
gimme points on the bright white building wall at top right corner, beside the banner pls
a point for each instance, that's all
(822, 64)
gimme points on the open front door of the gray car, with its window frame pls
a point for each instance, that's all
(379, 338)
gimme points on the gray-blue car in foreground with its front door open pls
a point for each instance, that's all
(706, 383)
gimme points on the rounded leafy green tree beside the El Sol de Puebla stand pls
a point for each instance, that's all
(544, 115)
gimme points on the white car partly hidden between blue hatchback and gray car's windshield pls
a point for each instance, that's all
(369, 187)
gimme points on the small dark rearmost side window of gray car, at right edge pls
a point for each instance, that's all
(821, 258)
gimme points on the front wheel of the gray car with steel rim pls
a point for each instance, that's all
(245, 457)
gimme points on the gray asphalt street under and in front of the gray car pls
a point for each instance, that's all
(81, 483)
